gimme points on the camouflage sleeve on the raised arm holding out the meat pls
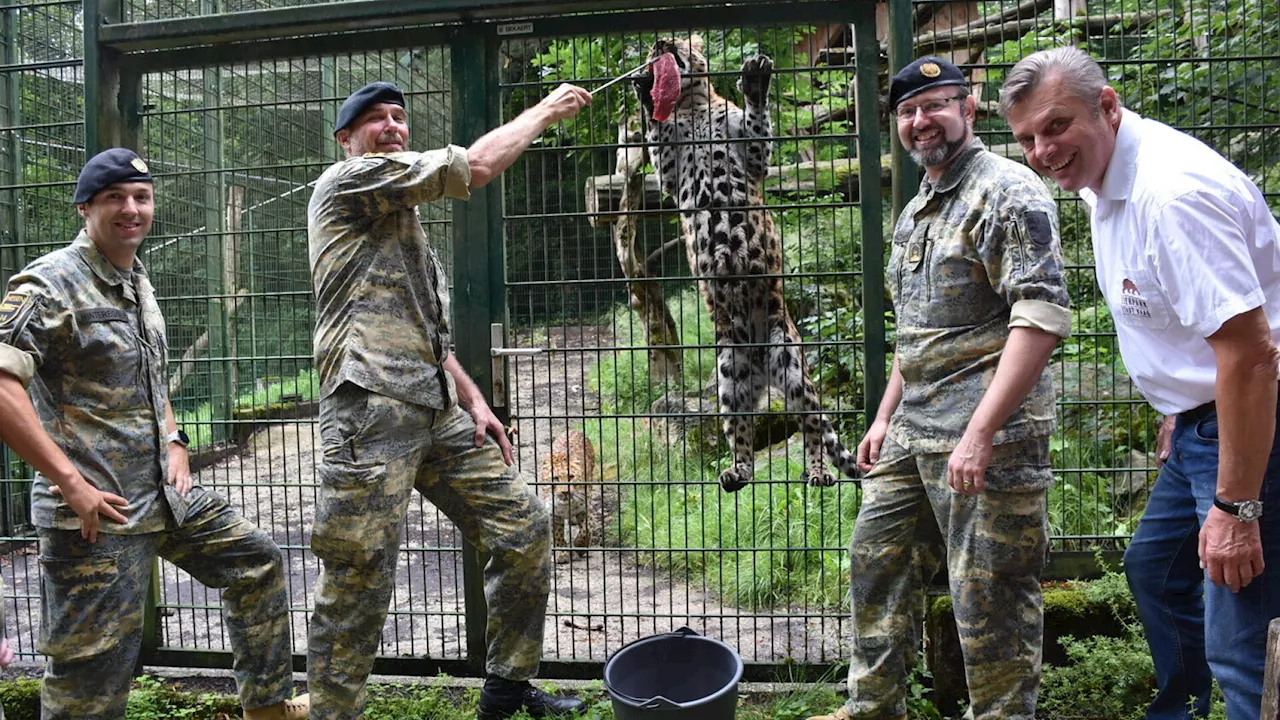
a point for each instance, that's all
(382, 184)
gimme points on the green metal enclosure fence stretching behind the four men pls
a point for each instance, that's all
(232, 107)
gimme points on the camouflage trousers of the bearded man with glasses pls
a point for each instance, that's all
(995, 546)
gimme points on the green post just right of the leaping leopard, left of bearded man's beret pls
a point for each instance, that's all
(871, 200)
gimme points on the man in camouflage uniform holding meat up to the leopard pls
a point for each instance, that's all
(399, 413)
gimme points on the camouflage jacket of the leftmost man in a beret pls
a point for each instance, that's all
(92, 349)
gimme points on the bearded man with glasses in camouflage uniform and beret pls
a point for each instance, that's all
(958, 455)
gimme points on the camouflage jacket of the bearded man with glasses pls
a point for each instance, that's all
(975, 254)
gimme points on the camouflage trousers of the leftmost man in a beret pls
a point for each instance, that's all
(93, 598)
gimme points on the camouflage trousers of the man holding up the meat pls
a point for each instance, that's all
(377, 450)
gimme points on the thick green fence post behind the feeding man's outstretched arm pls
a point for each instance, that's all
(477, 230)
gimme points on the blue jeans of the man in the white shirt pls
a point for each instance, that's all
(1199, 631)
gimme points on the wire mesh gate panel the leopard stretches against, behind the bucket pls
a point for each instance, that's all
(665, 548)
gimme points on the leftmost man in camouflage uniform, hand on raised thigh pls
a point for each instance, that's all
(81, 332)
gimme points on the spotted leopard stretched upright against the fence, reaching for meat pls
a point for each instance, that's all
(712, 158)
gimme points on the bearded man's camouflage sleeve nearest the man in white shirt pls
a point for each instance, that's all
(1025, 261)
